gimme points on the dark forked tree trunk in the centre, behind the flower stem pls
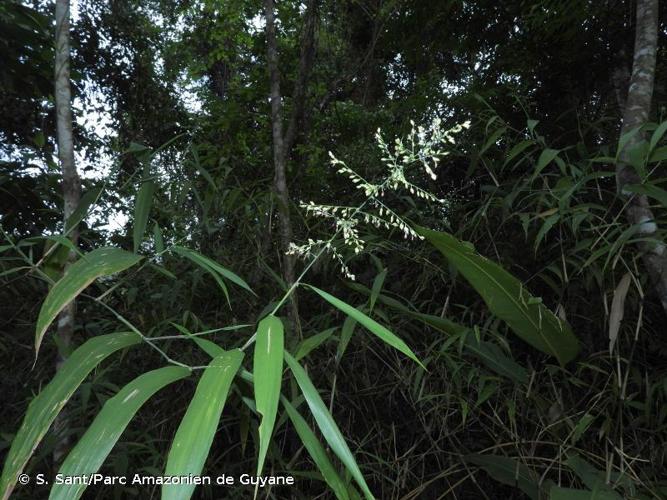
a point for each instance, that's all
(283, 142)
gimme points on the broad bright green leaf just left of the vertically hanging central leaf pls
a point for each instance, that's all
(197, 429)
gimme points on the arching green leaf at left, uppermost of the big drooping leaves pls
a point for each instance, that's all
(100, 262)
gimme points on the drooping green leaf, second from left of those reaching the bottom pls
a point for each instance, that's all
(93, 448)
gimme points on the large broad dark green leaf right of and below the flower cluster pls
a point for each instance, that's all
(507, 298)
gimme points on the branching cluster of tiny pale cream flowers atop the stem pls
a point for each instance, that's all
(423, 147)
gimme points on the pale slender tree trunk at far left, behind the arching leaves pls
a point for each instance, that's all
(71, 183)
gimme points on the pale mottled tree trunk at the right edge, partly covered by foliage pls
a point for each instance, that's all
(637, 107)
